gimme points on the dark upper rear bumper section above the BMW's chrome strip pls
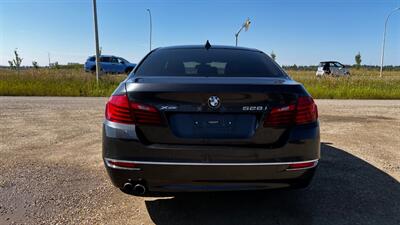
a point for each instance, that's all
(302, 145)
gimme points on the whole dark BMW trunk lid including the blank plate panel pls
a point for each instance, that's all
(189, 116)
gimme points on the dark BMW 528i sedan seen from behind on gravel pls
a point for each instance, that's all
(209, 118)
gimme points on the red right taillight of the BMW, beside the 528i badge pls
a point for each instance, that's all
(305, 111)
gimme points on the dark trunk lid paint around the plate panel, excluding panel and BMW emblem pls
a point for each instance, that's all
(192, 97)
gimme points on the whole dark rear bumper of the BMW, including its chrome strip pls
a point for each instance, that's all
(180, 168)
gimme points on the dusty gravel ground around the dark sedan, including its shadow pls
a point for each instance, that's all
(51, 172)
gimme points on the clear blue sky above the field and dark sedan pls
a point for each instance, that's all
(299, 32)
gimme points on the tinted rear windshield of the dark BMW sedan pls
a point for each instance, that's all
(212, 62)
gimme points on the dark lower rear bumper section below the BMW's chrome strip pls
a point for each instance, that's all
(194, 177)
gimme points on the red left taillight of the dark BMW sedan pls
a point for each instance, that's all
(120, 110)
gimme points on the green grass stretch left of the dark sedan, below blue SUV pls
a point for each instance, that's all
(56, 82)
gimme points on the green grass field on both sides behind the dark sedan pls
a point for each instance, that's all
(362, 84)
